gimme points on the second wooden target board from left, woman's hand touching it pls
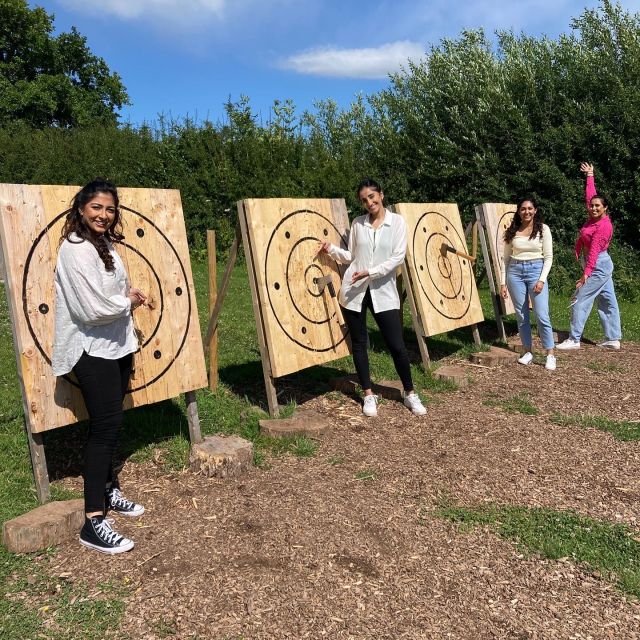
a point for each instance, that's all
(298, 322)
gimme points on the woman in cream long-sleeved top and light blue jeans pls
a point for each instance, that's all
(528, 255)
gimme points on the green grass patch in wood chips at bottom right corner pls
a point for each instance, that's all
(603, 549)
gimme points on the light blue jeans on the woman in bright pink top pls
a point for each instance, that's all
(599, 286)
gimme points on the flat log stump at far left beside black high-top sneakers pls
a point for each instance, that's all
(48, 525)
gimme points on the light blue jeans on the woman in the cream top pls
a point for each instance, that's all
(522, 276)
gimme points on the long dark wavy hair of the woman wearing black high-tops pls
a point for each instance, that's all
(75, 223)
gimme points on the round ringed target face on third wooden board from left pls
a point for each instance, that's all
(443, 278)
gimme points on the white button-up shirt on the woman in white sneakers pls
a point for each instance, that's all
(380, 251)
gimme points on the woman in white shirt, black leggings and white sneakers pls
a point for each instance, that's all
(377, 246)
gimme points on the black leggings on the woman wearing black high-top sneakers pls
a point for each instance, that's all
(104, 385)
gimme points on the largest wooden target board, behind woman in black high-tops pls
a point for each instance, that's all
(155, 254)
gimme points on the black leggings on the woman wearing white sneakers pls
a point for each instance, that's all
(390, 327)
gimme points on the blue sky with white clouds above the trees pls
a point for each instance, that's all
(187, 57)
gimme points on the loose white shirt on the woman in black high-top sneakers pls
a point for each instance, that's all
(93, 311)
